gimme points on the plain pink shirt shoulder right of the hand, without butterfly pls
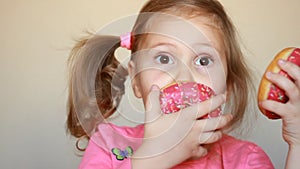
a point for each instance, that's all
(229, 153)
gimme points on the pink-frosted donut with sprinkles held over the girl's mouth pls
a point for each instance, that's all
(181, 95)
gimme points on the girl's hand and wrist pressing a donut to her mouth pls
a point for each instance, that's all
(170, 139)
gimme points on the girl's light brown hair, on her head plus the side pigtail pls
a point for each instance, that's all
(97, 52)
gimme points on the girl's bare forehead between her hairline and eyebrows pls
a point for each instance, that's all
(191, 32)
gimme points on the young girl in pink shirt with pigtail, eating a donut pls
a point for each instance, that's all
(173, 42)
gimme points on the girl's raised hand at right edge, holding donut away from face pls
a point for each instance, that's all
(290, 111)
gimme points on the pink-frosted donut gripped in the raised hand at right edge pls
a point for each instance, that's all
(268, 90)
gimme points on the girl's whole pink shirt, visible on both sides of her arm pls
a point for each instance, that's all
(228, 153)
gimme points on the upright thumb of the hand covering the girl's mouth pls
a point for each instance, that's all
(152, 105)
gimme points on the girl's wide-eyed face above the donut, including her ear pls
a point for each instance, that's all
(179, 50)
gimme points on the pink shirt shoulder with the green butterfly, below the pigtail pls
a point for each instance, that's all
(111, 146)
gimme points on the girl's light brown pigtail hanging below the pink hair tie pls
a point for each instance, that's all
(96, 83)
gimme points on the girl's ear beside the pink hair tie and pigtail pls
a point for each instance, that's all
(134, 79)
